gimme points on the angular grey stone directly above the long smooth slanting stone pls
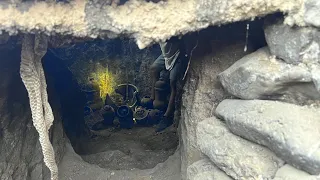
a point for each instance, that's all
(260, 76)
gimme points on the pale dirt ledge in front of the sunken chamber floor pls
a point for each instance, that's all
(72, 167)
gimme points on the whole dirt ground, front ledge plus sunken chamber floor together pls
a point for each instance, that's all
(124, 154)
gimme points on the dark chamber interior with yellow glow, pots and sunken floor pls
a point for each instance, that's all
(101, 85)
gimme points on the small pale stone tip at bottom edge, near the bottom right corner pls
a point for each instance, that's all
(288, 172)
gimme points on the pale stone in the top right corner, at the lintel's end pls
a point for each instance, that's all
(312, 13)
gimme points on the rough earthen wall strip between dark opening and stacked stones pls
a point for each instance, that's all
(202, 90)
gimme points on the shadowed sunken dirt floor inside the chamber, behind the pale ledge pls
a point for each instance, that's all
(126, 149)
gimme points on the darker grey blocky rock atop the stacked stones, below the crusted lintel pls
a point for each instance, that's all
(293, 45)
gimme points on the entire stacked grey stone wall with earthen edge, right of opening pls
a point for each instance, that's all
(255, 116)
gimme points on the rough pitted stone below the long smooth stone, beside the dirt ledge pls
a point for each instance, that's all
(239, 158)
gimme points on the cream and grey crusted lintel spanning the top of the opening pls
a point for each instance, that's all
(162, 20)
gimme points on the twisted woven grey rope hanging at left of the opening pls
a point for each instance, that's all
(32, 75)
